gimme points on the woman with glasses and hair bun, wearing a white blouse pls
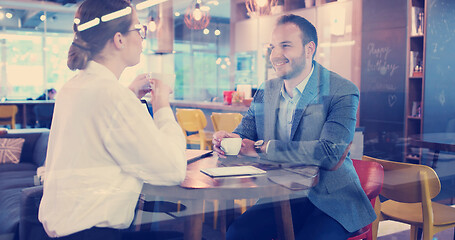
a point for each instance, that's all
(103, 143)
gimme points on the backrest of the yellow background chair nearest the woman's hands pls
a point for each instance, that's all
(191, 120)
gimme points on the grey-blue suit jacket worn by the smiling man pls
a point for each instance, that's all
(323, 126)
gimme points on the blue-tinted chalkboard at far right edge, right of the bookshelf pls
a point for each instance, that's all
(439, 66)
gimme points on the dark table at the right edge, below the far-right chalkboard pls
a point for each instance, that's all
(436, 142)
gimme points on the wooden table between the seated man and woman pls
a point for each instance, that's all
(198, 187)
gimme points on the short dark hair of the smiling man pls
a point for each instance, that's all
(308, 30)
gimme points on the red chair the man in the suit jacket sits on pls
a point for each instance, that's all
(371, 175)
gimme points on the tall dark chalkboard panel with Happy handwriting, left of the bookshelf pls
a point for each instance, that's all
(383, 76)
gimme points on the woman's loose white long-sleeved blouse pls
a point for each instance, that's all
(103, 146)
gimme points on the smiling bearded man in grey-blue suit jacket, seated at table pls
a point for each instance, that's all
(306, 116)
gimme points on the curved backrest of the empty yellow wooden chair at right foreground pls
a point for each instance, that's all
(403, 181)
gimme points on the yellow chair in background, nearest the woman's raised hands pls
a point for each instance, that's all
(193, 120)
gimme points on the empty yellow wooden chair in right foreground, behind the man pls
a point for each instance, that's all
(410, 188)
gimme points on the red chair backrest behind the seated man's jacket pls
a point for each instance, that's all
(371, 175)
